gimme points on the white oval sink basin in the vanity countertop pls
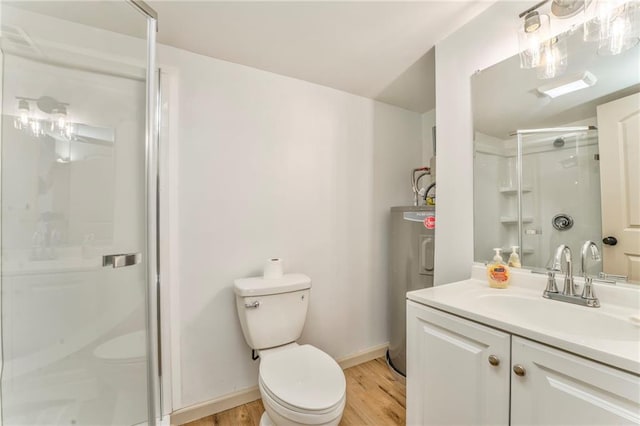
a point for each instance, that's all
(541, 313)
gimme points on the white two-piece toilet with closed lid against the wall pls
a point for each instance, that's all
(299, 384)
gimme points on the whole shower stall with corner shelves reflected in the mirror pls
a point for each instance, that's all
(536, 190)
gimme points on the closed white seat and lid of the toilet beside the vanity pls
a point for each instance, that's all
(303, 380)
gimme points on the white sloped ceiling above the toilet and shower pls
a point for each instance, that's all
(381, 49)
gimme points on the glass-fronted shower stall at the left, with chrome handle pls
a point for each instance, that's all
(78, 268)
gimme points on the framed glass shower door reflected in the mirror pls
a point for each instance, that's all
(560, 193)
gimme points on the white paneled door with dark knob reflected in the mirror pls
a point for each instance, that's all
(619, 141)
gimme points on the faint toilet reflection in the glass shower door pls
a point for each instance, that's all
(121, 366)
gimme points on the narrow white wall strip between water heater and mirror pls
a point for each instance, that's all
(486, 40)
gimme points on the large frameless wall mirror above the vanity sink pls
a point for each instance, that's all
(556, 180)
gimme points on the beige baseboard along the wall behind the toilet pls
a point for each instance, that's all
(208, 408)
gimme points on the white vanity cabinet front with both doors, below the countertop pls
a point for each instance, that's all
(464, 373)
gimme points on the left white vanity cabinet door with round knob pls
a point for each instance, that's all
(450, 380)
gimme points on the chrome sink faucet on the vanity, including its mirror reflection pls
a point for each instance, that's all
(569, 292)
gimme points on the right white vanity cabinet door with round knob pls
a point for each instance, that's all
(558, 388)
